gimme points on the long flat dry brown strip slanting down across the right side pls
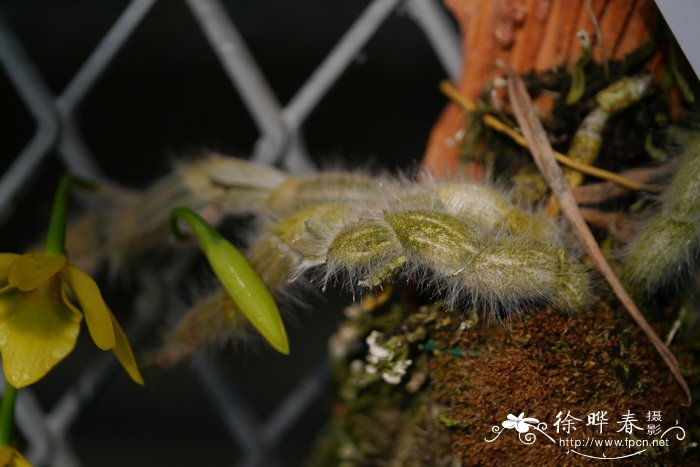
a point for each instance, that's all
(543, 155)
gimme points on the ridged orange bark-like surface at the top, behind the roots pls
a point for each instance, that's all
(529, 34)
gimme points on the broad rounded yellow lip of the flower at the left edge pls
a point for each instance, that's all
(38, 333)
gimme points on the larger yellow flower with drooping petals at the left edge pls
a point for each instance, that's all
(39, 322)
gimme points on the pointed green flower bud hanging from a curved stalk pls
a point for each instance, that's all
(244, 285)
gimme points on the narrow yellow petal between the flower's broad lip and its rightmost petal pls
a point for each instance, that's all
(97, 314)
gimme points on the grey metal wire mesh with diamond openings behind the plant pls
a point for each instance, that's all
(281, 142)
